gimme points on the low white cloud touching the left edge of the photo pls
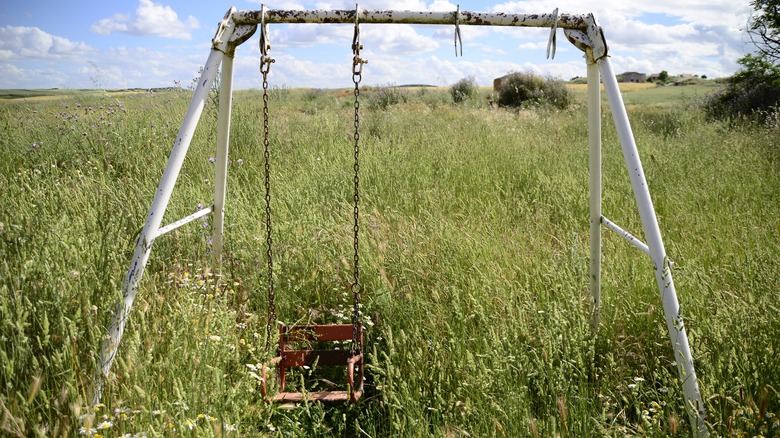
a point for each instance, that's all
(31, 42)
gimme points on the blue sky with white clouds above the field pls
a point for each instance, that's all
(161, 43)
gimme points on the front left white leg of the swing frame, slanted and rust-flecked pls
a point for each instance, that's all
(143, 245)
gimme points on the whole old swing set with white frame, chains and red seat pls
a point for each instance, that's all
(297, 343)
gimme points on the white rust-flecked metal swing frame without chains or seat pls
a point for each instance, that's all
(583, 31)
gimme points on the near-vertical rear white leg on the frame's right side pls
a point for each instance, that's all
(594, 139)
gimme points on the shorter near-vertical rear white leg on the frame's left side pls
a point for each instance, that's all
(223, 142)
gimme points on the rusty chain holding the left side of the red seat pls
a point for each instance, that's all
(265, 67)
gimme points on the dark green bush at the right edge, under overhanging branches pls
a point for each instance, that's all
(753, 92)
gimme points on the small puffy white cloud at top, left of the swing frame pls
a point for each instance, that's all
(150, 20)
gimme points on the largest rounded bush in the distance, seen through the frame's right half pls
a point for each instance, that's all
(528, 89)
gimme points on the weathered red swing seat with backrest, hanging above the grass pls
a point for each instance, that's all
(309, 335)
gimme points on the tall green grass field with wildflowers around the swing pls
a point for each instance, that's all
(474, 251)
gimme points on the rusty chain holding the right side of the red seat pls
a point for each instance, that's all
(357, 69)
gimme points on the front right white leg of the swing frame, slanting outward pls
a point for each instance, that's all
(663, 272)
